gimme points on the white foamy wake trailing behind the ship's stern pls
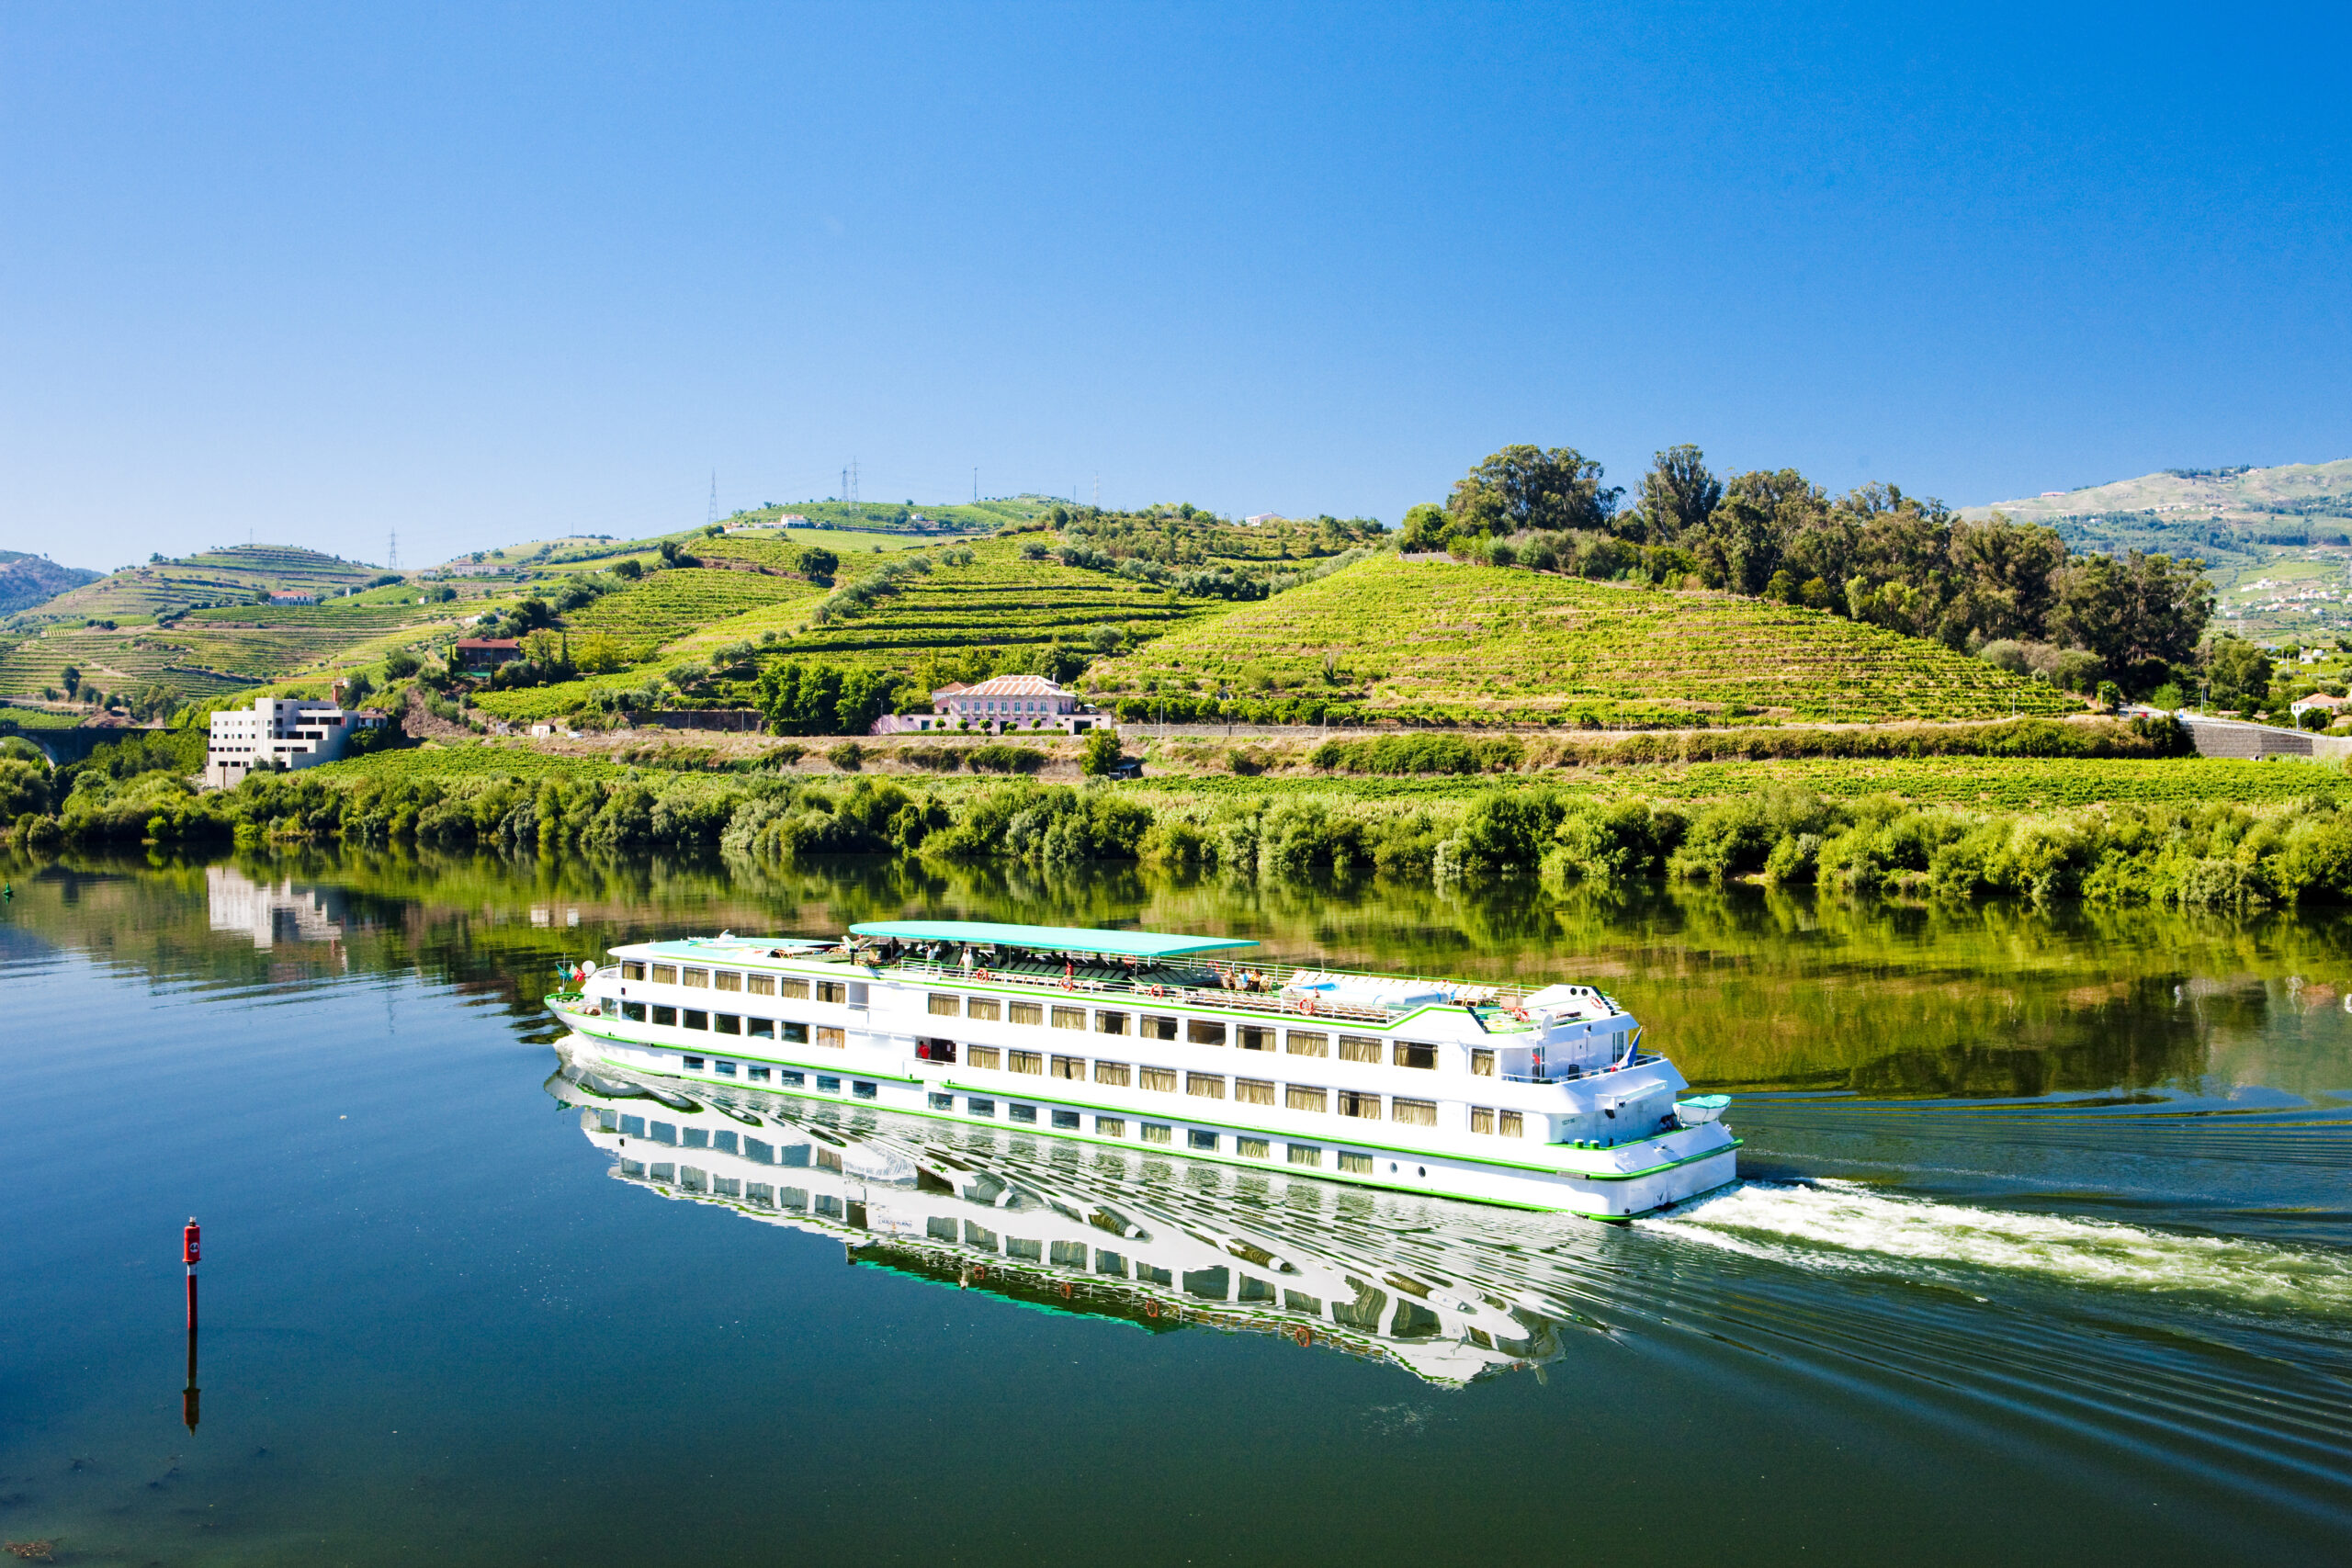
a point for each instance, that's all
(1852, 1228)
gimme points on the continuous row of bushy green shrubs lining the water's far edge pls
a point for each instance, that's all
(2181, 855)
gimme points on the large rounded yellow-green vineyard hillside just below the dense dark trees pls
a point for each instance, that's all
(1483, 645)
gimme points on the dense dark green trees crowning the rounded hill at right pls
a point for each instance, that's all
(1873, 556)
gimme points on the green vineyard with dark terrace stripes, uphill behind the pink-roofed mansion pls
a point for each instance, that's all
(998, 601)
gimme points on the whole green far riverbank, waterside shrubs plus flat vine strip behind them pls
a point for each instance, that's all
(2193, 833)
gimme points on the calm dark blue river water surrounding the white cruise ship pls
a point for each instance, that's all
(2043, 1254)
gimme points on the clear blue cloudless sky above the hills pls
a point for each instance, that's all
(493, 272)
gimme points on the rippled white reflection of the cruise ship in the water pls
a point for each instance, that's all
(1158, 1242)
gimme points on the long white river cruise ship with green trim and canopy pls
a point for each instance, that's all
(1170, 1043)
